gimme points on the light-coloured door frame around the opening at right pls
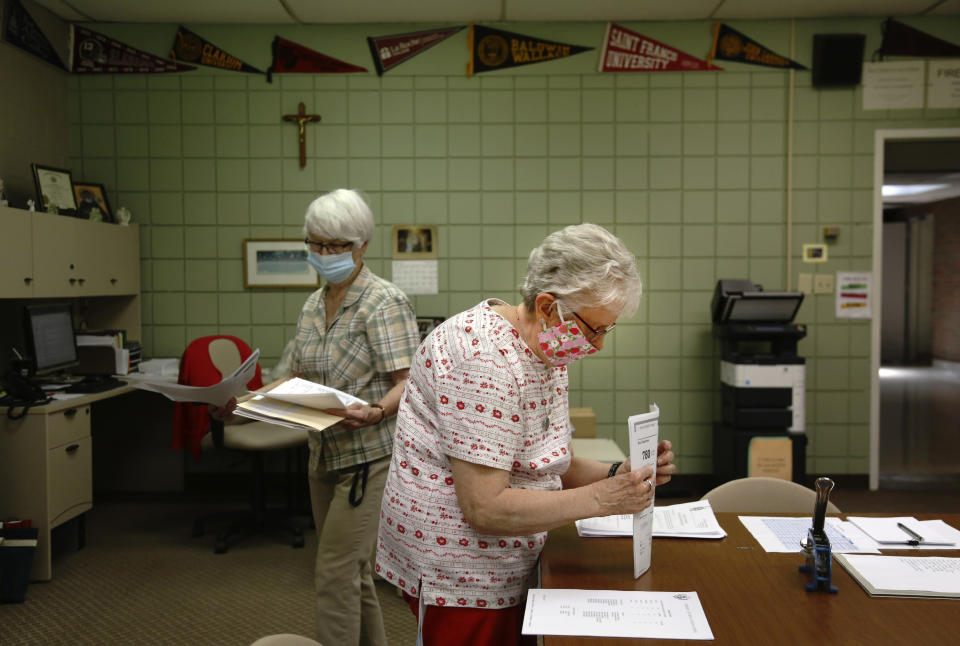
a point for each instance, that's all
(880, 139)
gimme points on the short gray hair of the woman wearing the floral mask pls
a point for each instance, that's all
(583, 265)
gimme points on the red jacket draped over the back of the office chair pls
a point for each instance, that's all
(191, 421)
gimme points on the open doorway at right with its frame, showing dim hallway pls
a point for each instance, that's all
(915, 386)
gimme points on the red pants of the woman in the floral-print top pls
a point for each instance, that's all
(471, 626)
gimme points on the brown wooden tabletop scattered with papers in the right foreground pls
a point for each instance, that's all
(750, 596)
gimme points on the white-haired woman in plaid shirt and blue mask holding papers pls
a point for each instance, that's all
(358, 334)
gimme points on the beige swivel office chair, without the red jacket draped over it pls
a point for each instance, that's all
(256, 439)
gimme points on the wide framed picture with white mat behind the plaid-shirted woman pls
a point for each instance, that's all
(277, 263)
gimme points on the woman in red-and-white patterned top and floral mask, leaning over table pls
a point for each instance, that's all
(482, 465)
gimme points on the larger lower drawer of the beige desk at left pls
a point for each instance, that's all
(69, 480)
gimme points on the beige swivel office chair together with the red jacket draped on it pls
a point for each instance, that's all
(205, 361)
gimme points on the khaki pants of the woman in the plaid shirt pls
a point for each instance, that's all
(348, 612)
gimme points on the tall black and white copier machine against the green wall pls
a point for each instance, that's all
(762, 381)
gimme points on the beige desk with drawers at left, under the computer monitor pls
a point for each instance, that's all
(46, 467)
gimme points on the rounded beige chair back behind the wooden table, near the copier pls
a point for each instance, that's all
(764, 496)
